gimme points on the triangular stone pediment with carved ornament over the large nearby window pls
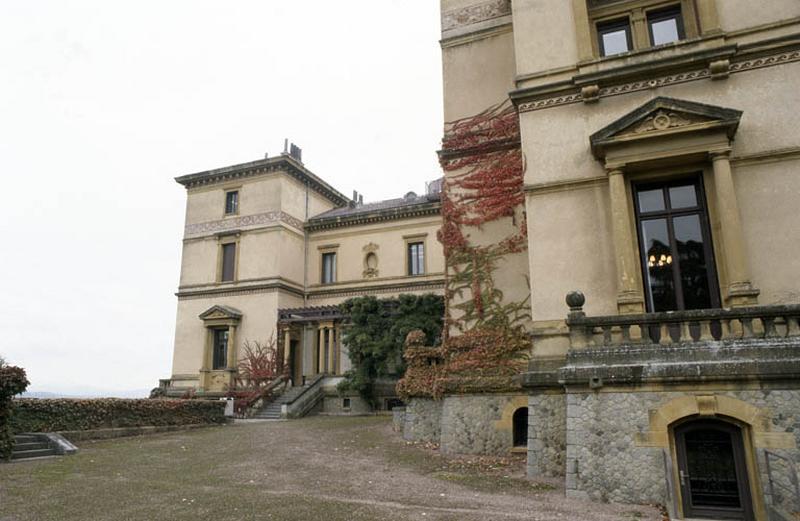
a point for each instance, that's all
(664, 118)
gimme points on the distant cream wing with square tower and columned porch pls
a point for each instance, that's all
(270, 250)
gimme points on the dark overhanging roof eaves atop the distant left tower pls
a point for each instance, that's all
(284, 162)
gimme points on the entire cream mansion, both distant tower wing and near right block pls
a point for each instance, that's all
(621, 176)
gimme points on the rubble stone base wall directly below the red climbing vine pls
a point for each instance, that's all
(464, 424)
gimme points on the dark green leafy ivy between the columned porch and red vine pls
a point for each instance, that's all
(376, 332)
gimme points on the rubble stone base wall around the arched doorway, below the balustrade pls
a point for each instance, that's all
(605, 463)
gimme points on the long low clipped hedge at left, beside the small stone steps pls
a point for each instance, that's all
(34, 415)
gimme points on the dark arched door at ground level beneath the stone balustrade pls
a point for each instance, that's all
(712, 470)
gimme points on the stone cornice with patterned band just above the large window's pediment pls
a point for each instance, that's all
(715, 63)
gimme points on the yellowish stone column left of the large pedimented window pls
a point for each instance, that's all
(629, 292)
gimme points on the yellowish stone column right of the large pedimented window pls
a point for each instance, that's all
(740, 290)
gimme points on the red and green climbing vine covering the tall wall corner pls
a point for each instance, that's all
(484, 336)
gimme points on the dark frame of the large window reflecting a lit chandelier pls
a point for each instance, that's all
(668, 213)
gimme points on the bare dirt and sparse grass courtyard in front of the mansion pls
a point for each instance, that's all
(317, 469)
